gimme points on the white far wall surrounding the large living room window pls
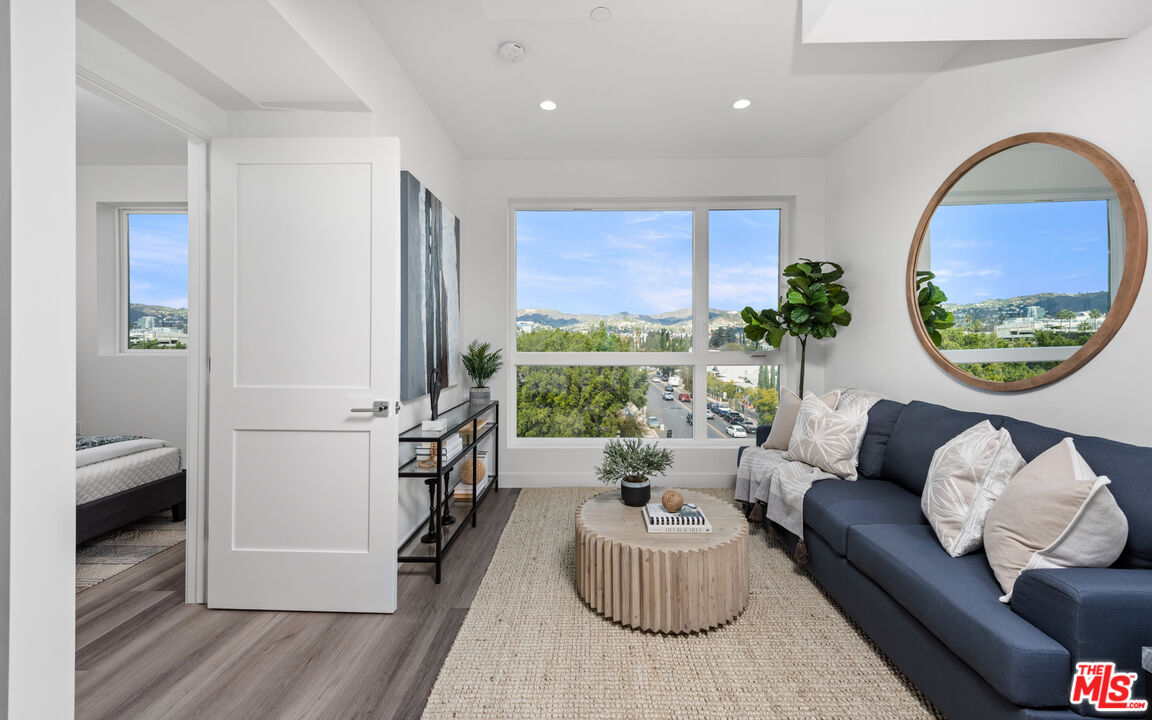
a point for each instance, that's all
(487, 285)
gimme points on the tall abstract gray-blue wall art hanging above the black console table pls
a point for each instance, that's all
(430, 290)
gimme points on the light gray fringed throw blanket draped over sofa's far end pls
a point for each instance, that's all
(778, 486)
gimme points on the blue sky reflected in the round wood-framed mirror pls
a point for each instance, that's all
(1005, 251)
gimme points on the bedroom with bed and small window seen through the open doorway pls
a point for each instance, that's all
(133, 327)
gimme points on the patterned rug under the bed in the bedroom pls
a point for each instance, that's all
(115, 552)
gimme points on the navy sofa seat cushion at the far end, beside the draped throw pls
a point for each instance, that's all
(833, 506)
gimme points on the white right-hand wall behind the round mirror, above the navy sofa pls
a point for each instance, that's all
(882, 179)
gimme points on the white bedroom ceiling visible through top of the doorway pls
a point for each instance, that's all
(109, 133)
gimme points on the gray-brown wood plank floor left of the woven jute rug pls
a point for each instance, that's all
(142, 654)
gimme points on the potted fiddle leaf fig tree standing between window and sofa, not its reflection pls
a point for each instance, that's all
(813, 308)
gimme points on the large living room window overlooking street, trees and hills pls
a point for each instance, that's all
(619, 309)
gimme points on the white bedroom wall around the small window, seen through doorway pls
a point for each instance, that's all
(117, 393)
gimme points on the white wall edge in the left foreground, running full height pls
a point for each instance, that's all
(39, 370)
